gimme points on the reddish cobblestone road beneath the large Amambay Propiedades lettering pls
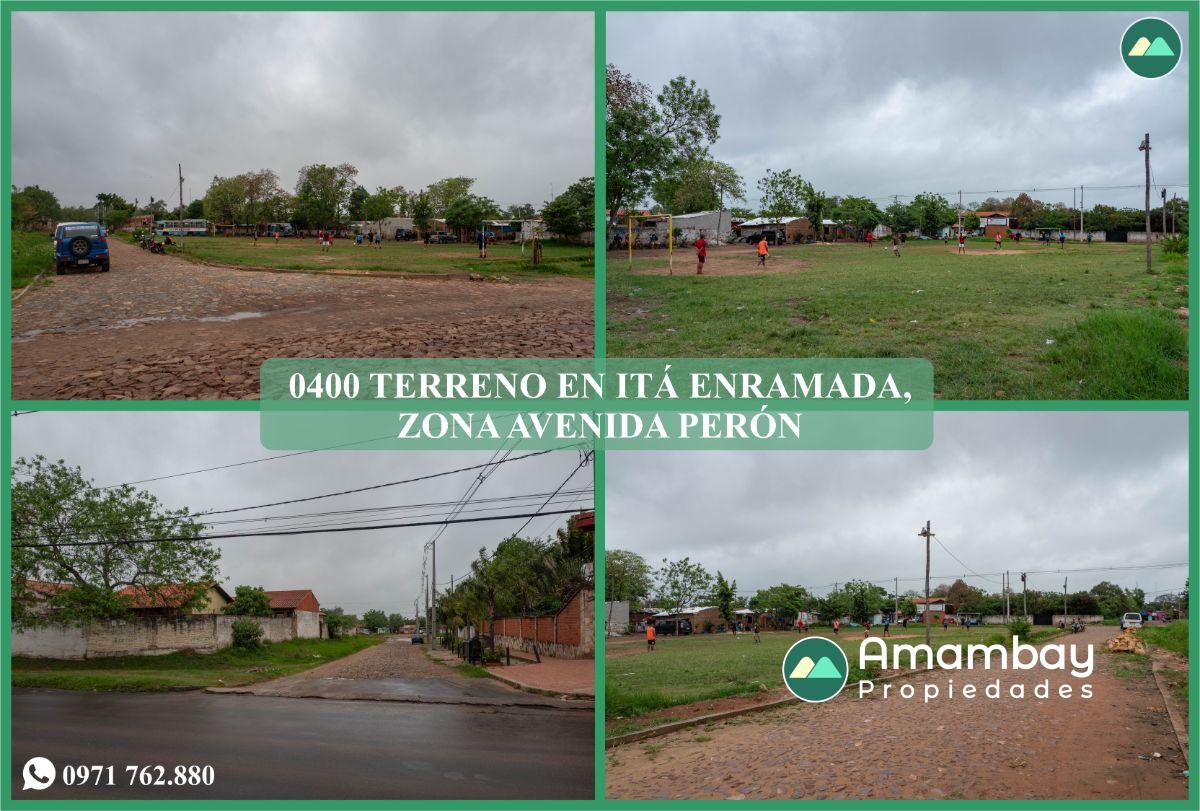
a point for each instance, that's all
(950, 749)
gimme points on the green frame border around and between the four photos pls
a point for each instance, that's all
(598, 9)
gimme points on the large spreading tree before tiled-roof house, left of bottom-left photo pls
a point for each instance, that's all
(53, 506)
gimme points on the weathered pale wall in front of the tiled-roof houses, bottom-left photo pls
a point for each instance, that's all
(149, 636)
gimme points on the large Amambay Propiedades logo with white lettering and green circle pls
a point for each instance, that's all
(817, 669)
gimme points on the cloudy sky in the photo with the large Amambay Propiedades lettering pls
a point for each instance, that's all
(1005, 491)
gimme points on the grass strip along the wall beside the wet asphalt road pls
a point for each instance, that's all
(185, 671)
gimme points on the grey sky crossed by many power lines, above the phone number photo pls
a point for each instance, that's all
(355, 570)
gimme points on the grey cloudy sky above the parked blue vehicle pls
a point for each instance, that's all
(406, 98)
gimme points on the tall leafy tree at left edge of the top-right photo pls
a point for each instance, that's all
(649, 137)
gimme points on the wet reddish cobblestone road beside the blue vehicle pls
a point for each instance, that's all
(163, 328)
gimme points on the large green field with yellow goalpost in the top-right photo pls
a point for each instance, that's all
(1027, 323)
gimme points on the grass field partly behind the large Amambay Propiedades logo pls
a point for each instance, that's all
(709, 666)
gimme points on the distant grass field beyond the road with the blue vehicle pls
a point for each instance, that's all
(298, 254)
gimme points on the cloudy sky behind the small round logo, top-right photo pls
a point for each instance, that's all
(896, 104)
